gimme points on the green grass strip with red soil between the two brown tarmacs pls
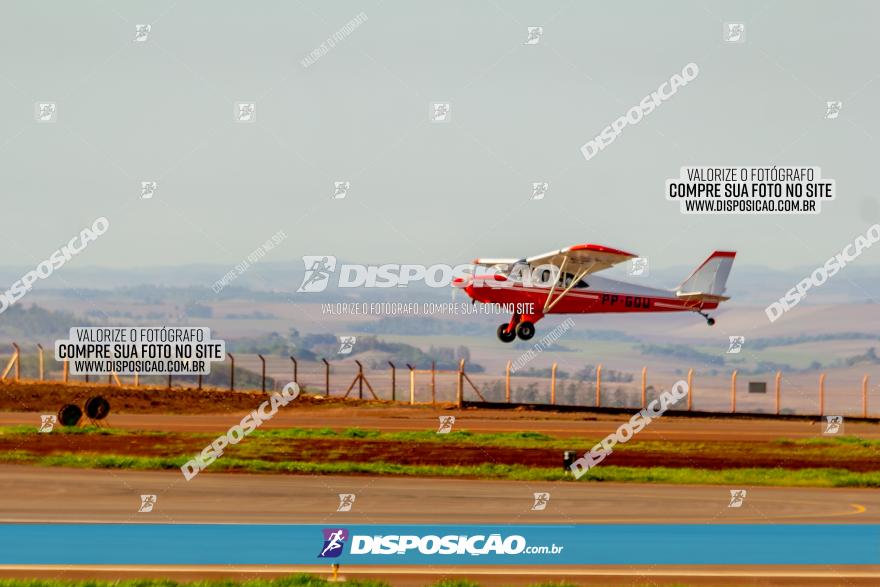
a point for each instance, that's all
(269, 451)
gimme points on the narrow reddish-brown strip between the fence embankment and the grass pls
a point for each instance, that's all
(424, 418)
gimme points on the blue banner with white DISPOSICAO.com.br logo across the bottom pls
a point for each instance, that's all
(612, 544)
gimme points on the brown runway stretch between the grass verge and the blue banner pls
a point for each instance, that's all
(37, 494)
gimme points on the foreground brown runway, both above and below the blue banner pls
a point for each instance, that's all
(36, 494)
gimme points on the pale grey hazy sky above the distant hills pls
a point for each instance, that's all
(163, 110)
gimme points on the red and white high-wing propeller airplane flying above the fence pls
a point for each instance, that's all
(554, 283)
